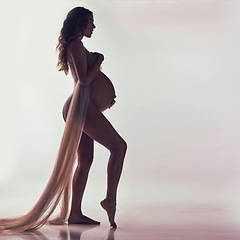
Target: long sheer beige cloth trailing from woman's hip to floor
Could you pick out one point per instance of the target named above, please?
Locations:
(59, 184)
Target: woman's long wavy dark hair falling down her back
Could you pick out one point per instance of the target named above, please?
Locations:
(75, 22)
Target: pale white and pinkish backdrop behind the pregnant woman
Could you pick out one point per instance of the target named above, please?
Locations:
(175, 67)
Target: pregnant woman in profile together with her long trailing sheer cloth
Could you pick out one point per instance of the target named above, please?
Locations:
(93, 93)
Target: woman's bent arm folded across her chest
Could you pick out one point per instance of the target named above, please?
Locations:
(77, 53)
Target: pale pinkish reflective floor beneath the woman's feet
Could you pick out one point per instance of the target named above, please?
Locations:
(168, 222)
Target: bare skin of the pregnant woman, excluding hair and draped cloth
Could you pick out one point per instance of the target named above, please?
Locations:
(96, 128)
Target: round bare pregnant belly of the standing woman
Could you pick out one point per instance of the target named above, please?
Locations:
(102, 91)
